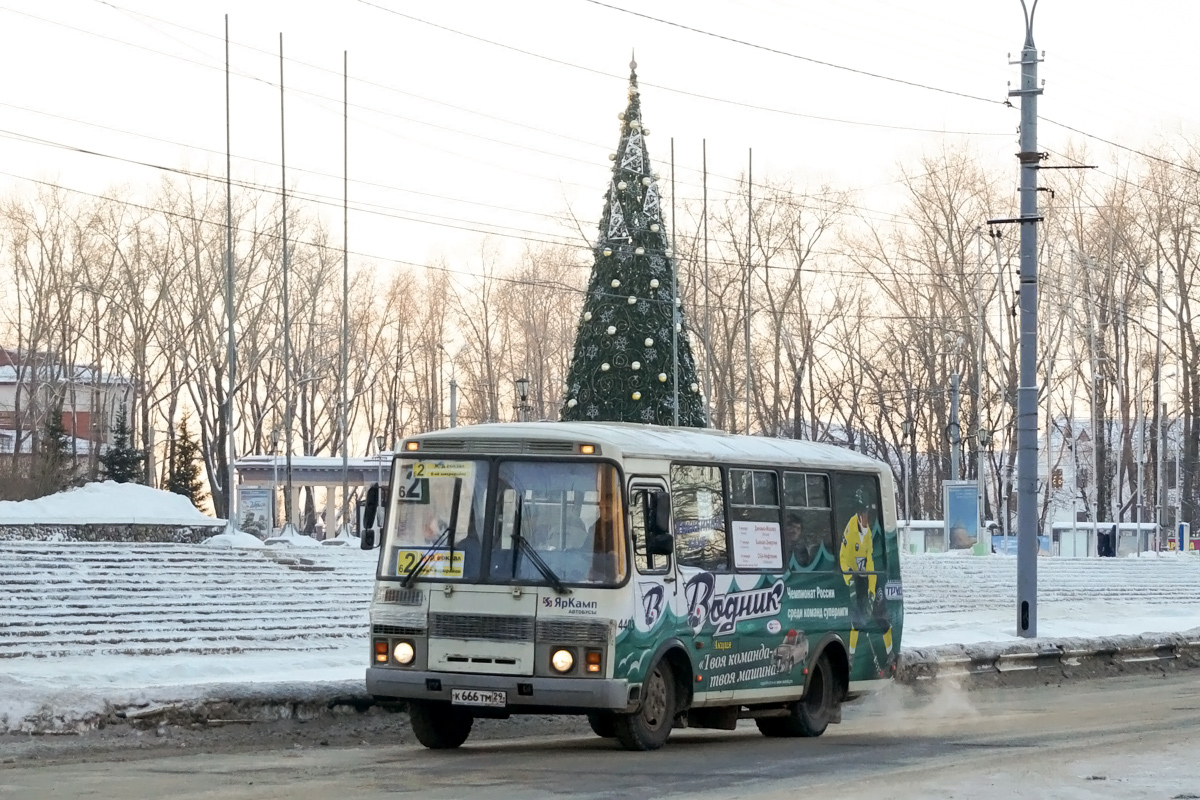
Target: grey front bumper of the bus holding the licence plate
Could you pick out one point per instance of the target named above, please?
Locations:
(525, 693)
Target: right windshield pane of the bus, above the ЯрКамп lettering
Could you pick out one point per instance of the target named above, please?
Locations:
(568, 516)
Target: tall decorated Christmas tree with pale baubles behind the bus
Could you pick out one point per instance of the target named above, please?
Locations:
(631, 357)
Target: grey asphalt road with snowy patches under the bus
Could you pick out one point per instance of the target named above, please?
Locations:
(1119, 738)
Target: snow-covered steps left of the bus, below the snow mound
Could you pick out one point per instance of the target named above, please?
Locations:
(64, 600)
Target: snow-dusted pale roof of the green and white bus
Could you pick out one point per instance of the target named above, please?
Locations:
(634, 441)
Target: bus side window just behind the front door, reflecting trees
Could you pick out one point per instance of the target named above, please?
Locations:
(698, 502)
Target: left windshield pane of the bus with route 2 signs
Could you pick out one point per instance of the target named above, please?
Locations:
(436, 504)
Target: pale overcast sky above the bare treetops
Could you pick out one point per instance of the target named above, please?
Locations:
(452, 136)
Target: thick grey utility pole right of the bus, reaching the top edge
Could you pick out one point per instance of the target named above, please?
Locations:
(1028, 390)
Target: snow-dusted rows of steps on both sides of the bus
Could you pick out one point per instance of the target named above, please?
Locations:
(69, 600)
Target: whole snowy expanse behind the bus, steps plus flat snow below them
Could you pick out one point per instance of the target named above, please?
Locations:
(129, 624)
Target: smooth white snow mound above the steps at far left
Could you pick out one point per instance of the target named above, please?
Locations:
(106, 503)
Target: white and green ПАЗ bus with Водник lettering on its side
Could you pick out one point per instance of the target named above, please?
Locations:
(647, 578)
